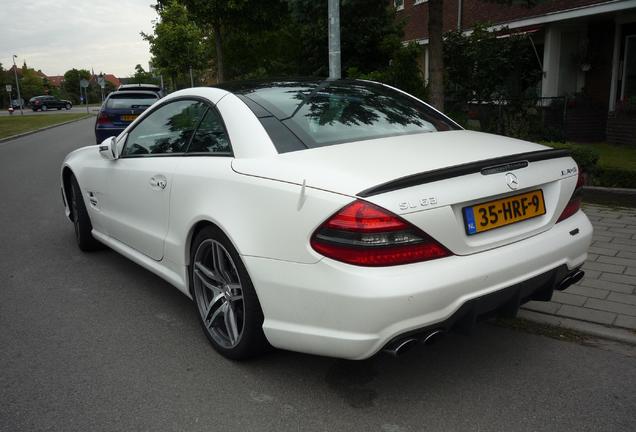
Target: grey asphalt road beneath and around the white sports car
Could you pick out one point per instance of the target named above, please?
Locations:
(92, 342)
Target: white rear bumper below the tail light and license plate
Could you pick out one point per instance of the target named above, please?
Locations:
(338, 310)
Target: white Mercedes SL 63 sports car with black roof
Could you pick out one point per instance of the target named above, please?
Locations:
(338, 218)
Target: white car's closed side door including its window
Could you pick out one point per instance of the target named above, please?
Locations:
(136, 201)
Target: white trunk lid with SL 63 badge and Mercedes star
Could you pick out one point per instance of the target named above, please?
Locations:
(430, 178)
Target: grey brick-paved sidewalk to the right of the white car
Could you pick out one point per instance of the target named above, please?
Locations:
(607, 293)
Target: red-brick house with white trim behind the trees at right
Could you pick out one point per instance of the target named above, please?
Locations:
(583, 46)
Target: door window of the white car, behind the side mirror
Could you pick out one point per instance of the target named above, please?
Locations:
(165, 131)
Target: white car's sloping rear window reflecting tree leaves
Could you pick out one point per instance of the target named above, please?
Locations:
(333, 112)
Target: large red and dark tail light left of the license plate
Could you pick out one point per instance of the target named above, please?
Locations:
(366, 235)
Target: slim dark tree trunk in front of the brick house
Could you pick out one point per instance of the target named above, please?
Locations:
(435, 53)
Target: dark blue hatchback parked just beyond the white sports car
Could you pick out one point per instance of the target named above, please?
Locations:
(119, 110)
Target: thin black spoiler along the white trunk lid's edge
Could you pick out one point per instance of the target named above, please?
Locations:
(486, 167)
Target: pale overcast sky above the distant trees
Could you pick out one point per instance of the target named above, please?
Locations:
(58, 35)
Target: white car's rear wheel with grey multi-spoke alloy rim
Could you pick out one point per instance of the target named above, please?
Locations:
(223, 291)
